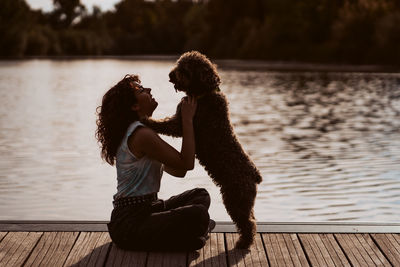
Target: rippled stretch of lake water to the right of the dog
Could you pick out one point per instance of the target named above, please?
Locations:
(325, 141)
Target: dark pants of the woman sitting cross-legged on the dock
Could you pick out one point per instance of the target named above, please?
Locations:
(176, 224)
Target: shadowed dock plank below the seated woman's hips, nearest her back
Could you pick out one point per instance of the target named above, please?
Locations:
(119, 257)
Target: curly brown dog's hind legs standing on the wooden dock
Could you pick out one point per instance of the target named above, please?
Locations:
(239, 203)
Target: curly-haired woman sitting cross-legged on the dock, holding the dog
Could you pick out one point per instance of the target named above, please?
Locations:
(139, 220)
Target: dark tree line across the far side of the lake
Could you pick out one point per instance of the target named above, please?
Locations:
(340, 31)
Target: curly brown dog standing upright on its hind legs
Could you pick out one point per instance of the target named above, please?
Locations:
(217, 147)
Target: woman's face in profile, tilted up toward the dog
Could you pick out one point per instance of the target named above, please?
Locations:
(146, 104)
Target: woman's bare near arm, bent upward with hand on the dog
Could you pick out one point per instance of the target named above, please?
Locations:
(146, 142)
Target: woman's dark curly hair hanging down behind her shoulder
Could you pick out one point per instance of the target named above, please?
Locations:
(115, 115)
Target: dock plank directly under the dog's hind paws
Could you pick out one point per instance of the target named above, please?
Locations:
(255, 256)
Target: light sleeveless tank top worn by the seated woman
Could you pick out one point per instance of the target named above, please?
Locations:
(136, 177)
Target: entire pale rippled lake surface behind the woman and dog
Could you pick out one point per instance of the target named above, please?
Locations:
(327, 144)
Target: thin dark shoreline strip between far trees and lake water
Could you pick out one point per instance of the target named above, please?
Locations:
(240, 64)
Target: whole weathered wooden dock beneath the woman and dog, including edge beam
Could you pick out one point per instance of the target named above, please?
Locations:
(277, 244)
